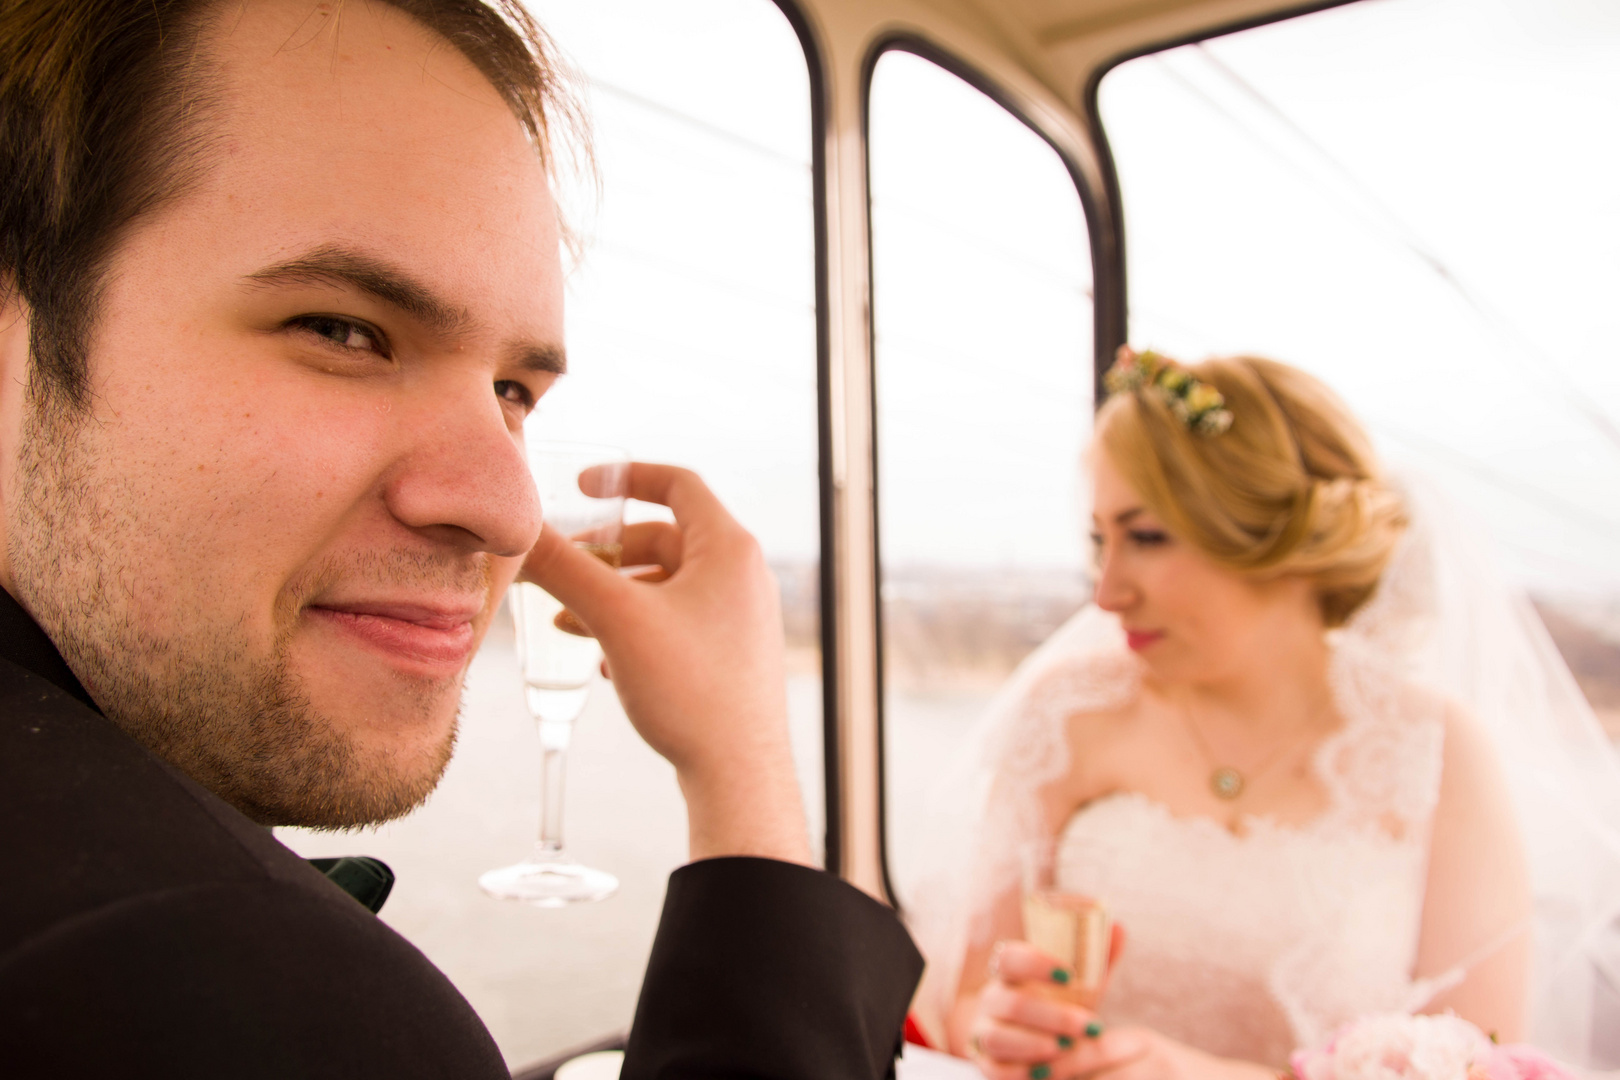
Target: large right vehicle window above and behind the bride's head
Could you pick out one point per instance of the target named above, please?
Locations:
(1415, 202)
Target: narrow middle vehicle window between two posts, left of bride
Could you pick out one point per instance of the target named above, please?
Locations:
(983, 355)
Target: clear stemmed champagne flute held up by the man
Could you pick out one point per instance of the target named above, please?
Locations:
(560, 663)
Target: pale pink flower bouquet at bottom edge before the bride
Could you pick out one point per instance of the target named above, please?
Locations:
(1400, 1047)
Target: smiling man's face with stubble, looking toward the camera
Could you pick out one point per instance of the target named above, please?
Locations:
(278, 538)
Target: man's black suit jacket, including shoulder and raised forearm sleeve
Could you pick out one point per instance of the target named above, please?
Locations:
(148, 929)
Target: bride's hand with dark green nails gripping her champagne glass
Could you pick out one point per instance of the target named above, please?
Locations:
(1023, 1032)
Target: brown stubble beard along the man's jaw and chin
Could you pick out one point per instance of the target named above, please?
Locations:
(237, 723)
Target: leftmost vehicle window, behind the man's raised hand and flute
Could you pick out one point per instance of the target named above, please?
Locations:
(691, 328)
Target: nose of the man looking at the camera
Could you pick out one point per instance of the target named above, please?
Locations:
(464, 478)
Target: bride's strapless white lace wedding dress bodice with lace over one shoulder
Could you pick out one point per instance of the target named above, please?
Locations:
(1251, 945)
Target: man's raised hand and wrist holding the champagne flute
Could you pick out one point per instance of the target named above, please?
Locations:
(697, 661)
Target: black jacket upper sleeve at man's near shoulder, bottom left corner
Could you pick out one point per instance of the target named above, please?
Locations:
(252, 982)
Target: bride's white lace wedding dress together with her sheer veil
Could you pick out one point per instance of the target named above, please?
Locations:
(1260, 943)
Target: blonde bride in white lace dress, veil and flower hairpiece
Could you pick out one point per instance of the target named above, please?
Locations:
(1274, 749)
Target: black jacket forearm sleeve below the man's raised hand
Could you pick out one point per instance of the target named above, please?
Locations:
(765, 969)
